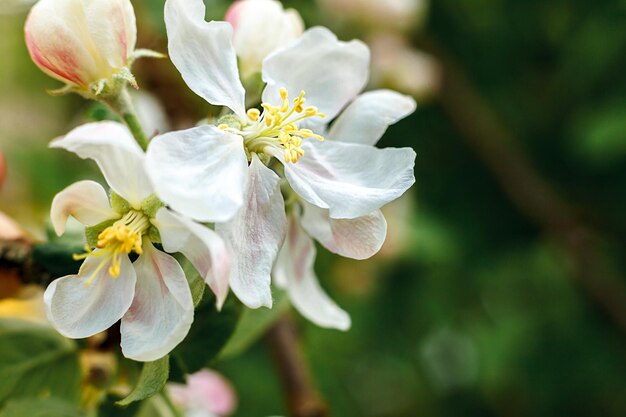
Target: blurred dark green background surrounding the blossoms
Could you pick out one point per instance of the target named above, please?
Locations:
(500, 289)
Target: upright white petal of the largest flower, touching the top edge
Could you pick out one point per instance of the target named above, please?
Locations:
(203, 53)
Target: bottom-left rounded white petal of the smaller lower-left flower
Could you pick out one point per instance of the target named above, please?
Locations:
(78, 311)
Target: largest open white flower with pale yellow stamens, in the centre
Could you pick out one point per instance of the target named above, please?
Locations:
(207, 167)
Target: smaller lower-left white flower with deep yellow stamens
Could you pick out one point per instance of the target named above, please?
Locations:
(151, 296)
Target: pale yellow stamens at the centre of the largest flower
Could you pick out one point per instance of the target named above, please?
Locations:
(277, 127)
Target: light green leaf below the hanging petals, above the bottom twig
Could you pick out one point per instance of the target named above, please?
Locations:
(254, 324)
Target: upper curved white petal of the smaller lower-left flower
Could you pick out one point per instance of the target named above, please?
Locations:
(117, 154)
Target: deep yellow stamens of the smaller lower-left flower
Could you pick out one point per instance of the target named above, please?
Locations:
(120, 239)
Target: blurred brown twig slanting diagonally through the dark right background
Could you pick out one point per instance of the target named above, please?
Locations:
(534, 197)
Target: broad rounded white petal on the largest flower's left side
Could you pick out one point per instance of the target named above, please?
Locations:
(199, 172)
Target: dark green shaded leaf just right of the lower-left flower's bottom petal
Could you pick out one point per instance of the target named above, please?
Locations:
(210, 331)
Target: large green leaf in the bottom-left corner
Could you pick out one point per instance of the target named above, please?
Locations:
(36, 361)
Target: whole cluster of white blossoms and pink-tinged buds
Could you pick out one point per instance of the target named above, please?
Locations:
(243, 199)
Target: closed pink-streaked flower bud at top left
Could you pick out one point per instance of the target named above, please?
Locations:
(81, 42)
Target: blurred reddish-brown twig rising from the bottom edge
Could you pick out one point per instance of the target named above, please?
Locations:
(303, 400)
